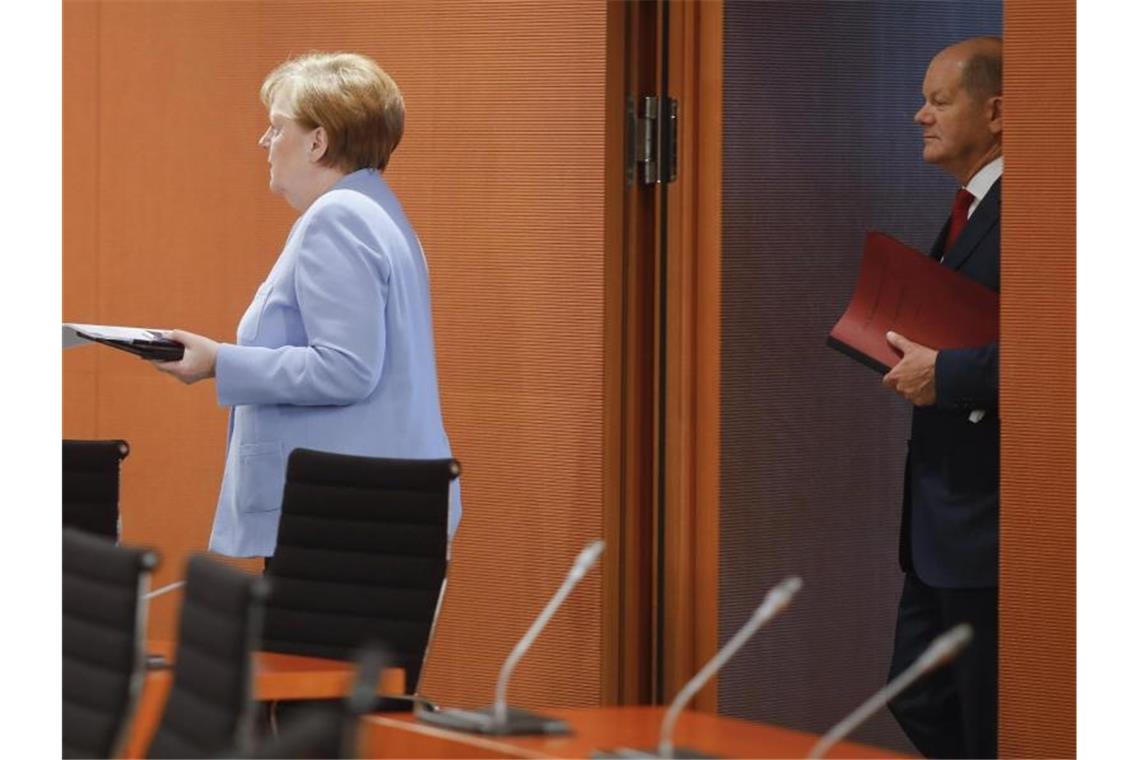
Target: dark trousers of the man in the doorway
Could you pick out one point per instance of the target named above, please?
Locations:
(954, 712)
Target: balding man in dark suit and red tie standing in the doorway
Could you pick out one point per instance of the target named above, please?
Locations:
(949, 542)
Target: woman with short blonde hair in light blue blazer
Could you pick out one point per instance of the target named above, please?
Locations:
(336, 353)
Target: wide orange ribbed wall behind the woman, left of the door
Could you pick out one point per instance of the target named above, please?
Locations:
(168, 223)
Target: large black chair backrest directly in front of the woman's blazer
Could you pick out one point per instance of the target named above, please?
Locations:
(362, 557)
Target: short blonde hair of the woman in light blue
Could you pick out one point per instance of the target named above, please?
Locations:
(356, 102)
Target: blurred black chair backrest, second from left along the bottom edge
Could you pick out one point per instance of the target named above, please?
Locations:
(210, 707)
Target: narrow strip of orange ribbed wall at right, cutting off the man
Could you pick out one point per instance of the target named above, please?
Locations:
(1038, 606)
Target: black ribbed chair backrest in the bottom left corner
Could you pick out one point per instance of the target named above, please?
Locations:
(104, 627)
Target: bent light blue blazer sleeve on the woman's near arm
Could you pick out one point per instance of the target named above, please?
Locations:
(341, 290)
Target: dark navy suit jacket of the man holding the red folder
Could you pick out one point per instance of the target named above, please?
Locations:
(950, 505)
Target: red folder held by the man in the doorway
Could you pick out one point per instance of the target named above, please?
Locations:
(905, 291)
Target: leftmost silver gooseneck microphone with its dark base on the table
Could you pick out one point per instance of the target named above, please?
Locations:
(500, 718)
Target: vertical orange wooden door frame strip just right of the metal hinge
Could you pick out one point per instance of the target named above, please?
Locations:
(693, 545)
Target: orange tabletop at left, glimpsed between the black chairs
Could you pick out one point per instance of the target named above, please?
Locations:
(276, 677)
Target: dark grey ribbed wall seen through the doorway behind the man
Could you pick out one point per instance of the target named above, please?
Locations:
(819, 148)
